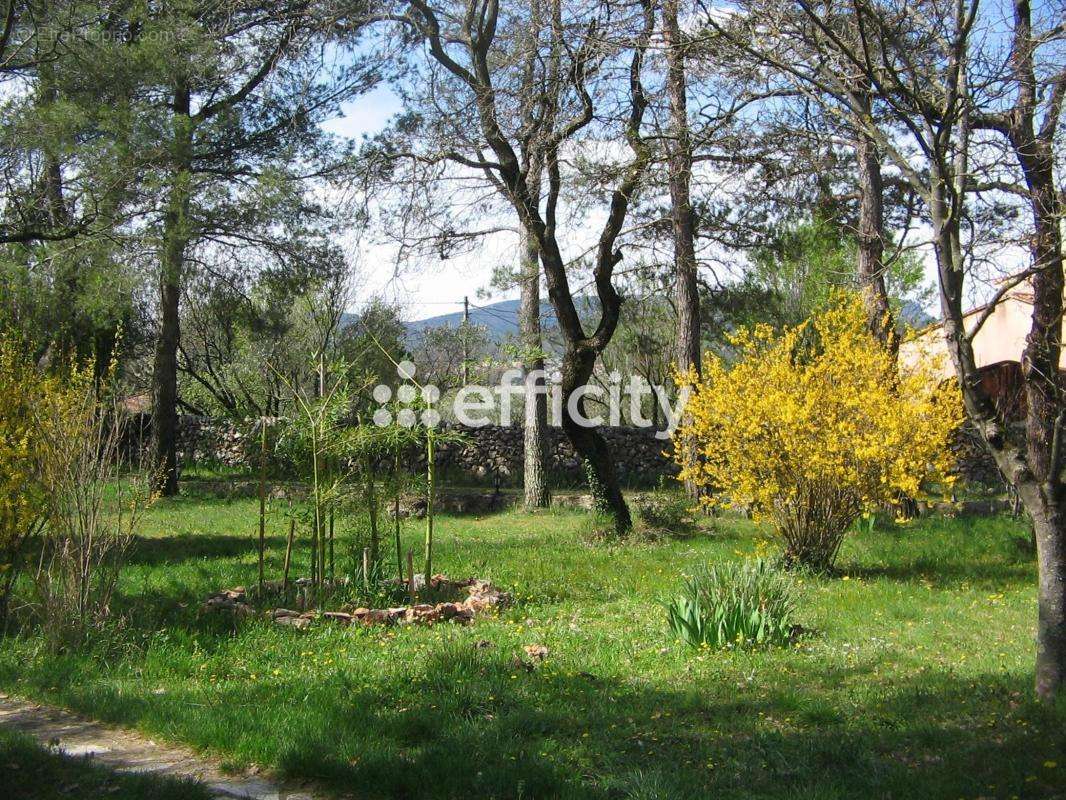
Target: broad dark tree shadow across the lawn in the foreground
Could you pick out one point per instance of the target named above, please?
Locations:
(471, 724)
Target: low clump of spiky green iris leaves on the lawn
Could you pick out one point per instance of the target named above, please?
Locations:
(735, 604)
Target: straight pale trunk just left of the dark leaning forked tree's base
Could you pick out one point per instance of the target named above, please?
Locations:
(535, 472)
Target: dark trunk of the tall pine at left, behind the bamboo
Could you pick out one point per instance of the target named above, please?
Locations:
(165, 423)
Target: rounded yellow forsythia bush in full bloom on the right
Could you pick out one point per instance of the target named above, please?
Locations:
(813, 427)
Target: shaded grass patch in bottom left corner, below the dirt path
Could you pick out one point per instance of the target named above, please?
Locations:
(31, 773)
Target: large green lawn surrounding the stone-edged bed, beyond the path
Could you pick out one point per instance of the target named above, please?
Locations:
(915, 681)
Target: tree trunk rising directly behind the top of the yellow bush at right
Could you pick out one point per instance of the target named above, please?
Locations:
(871, 239)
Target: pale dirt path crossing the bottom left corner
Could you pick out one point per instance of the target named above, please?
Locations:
(128, 751)
